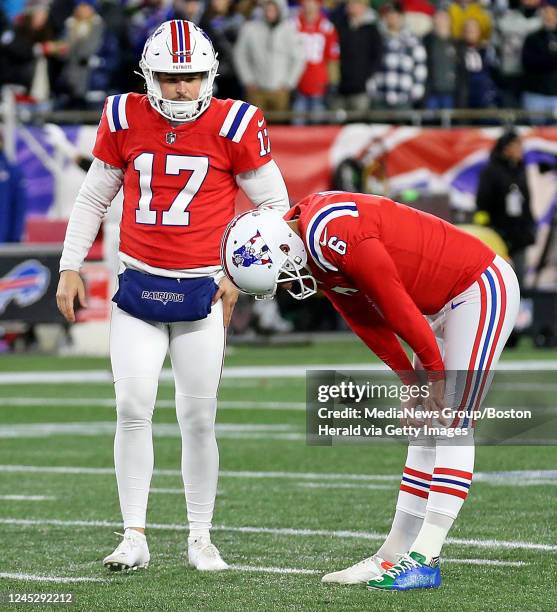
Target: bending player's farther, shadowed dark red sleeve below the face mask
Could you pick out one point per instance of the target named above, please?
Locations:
(372, 329)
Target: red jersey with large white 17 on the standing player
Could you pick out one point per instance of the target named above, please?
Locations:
(179, 186)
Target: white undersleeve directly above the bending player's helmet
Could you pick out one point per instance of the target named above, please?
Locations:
(265, 187)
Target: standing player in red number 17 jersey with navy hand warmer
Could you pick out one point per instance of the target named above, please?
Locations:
(180, 155)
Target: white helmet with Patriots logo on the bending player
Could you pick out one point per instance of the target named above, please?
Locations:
(259, 250)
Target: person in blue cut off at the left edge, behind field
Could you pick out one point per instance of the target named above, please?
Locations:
(13, 200)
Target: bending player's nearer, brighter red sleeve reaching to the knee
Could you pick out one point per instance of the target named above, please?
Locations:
(380, 281)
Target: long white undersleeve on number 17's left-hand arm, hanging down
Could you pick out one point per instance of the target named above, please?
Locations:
(100, 186)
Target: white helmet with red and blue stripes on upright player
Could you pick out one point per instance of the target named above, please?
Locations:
(179, 46)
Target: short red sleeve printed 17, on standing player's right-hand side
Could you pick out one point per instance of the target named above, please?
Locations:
(254, 147)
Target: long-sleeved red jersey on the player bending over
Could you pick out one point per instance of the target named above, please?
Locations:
(384, 265)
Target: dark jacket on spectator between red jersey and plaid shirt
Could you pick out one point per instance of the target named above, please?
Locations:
(360, 52)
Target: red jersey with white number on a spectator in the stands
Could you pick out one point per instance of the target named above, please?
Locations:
(321, 46)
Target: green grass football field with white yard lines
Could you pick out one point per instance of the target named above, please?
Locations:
(286, 512)
